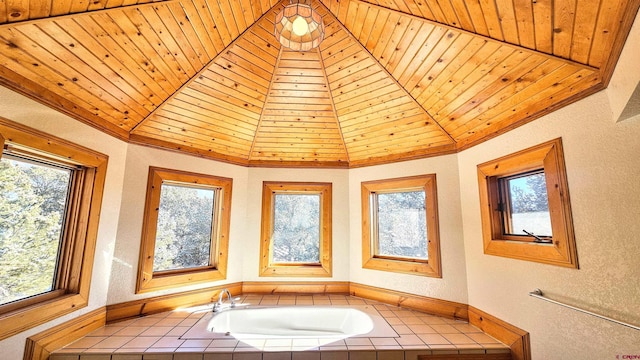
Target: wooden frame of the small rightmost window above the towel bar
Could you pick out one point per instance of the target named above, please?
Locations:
(549, 157)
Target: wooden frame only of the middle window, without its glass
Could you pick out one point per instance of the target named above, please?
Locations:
(269, 268)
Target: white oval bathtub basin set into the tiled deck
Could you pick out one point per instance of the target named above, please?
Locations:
(292, 322)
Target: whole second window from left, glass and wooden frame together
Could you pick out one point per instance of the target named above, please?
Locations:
(185, 231)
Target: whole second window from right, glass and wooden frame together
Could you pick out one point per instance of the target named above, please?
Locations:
(400, 226)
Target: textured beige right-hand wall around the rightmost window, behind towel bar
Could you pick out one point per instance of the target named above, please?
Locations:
(603, 168)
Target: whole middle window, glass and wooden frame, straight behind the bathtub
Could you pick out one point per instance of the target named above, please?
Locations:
(296, 229)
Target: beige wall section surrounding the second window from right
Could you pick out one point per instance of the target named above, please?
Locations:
(453, 284)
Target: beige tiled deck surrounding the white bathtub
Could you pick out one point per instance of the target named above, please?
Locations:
(178, 335)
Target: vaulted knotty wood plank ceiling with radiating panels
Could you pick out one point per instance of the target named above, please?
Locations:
(392, 80)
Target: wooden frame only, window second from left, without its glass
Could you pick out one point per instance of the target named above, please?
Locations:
(147, 279)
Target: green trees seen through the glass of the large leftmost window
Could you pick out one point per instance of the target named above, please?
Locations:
(33, 198)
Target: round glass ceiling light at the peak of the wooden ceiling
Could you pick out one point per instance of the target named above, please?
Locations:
(299, 27)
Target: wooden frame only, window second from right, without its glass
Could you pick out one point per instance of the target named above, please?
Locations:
(431, 267)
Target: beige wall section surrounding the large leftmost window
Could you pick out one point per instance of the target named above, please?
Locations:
(22, 110)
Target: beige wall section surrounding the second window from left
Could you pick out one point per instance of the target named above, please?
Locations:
(125, 260)
